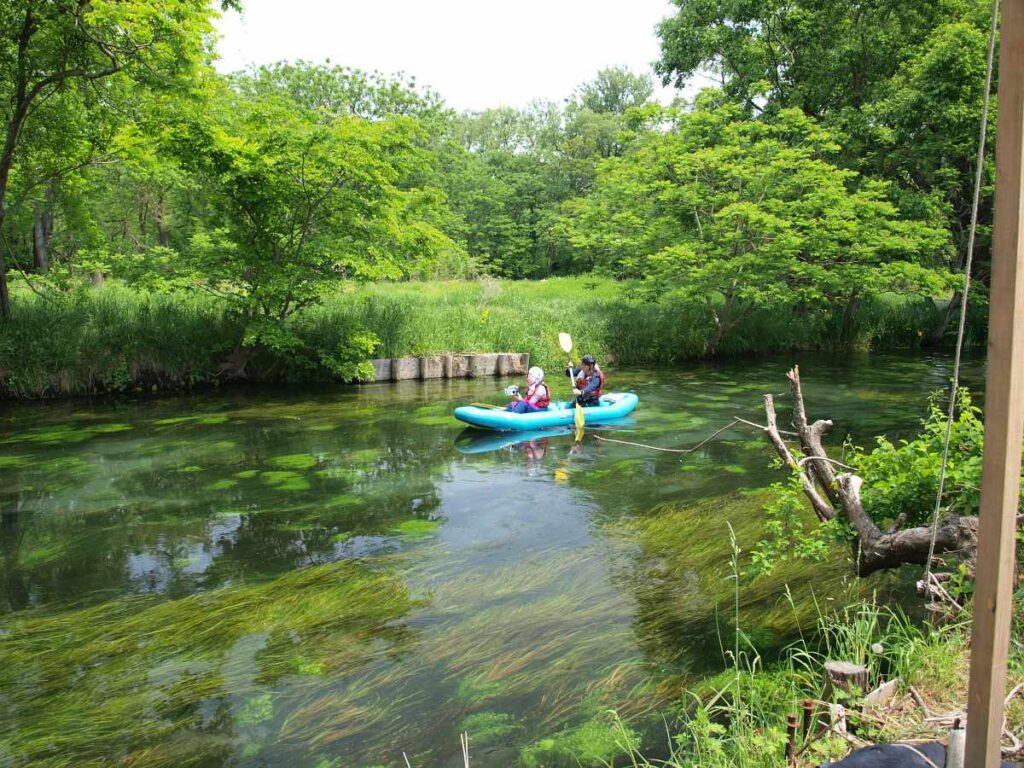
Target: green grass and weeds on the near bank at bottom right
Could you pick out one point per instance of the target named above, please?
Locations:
(738, 719)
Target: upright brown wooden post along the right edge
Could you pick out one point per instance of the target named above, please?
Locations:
(1004, 412)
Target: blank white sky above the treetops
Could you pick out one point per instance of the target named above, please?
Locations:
(475, 53)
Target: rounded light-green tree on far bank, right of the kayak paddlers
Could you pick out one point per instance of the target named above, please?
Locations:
(751, 214)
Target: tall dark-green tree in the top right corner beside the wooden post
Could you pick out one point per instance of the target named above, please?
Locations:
(901, 84)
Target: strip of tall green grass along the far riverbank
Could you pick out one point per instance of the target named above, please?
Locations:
(116, 339)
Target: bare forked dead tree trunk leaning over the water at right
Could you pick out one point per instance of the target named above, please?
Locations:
(833, 495)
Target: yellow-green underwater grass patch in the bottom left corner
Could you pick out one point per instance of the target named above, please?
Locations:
(127, 675)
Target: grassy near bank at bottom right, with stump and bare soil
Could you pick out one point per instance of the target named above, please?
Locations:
(739, 718)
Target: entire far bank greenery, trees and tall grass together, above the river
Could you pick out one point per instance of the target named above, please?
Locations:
(163, 226)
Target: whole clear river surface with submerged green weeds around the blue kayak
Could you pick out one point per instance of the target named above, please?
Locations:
(333, 578)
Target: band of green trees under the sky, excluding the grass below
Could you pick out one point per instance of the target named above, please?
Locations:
(833, 164)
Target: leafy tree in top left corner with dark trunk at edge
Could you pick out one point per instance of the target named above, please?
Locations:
(52, 47)
